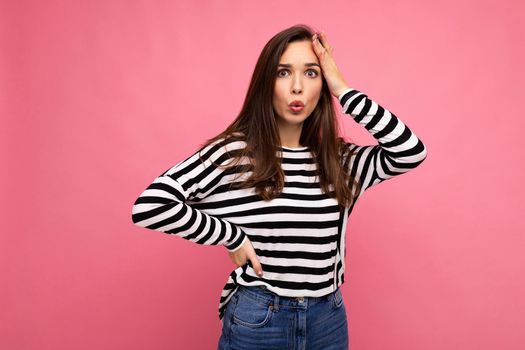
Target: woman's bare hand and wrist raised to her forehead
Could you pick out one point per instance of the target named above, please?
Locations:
(334, 78)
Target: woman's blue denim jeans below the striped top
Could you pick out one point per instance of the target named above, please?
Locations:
(256, 318)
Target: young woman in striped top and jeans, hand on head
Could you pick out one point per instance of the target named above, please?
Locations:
(276, 188)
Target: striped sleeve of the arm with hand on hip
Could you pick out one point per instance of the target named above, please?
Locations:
(163, 204)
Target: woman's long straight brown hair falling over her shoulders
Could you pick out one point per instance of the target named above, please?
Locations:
(256, 125)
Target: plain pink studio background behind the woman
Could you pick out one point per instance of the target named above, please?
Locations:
(99, 97)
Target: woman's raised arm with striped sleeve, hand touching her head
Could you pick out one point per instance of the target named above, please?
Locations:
(399, 148)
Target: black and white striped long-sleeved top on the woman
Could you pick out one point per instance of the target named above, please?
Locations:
(299, 236)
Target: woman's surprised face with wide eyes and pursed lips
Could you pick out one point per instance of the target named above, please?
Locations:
(298, 77)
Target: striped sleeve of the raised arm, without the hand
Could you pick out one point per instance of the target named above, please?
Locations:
(399, 149)
